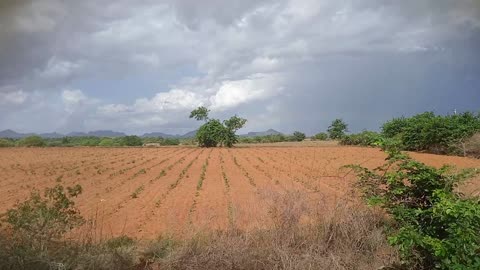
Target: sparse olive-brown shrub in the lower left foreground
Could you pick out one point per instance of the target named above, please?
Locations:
(39, 222)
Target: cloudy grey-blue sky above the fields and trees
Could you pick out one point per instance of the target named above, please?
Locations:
(142, 66)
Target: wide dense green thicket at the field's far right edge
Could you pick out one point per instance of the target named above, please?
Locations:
(433, 133)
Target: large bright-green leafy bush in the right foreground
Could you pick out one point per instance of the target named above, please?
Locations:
(435, 227)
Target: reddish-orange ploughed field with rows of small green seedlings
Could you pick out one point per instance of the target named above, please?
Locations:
(147, 191)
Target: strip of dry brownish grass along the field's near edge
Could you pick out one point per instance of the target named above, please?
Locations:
(350, 236)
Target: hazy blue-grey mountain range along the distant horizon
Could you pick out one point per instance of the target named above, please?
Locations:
(109, 133)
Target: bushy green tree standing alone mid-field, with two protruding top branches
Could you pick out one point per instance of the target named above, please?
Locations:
(214, 132)
